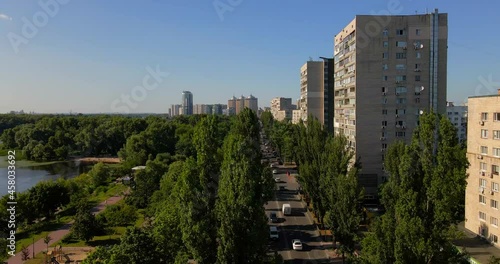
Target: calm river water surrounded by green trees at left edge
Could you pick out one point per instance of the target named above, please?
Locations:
(30, 173)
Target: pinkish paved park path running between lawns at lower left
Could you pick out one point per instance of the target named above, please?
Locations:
(60, 233)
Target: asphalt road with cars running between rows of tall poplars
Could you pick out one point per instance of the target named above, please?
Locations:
(298, 225)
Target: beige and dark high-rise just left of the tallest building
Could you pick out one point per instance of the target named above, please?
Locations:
(316, 91)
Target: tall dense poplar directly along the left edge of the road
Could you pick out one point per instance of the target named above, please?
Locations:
(242, 232)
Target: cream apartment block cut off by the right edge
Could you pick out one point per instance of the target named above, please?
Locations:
(482, 195)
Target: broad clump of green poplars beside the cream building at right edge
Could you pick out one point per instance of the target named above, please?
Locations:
(424, 198)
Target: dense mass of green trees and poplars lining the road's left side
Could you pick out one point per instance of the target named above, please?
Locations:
(206, 204)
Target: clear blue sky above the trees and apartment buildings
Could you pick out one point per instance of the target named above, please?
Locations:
(87, 54)
